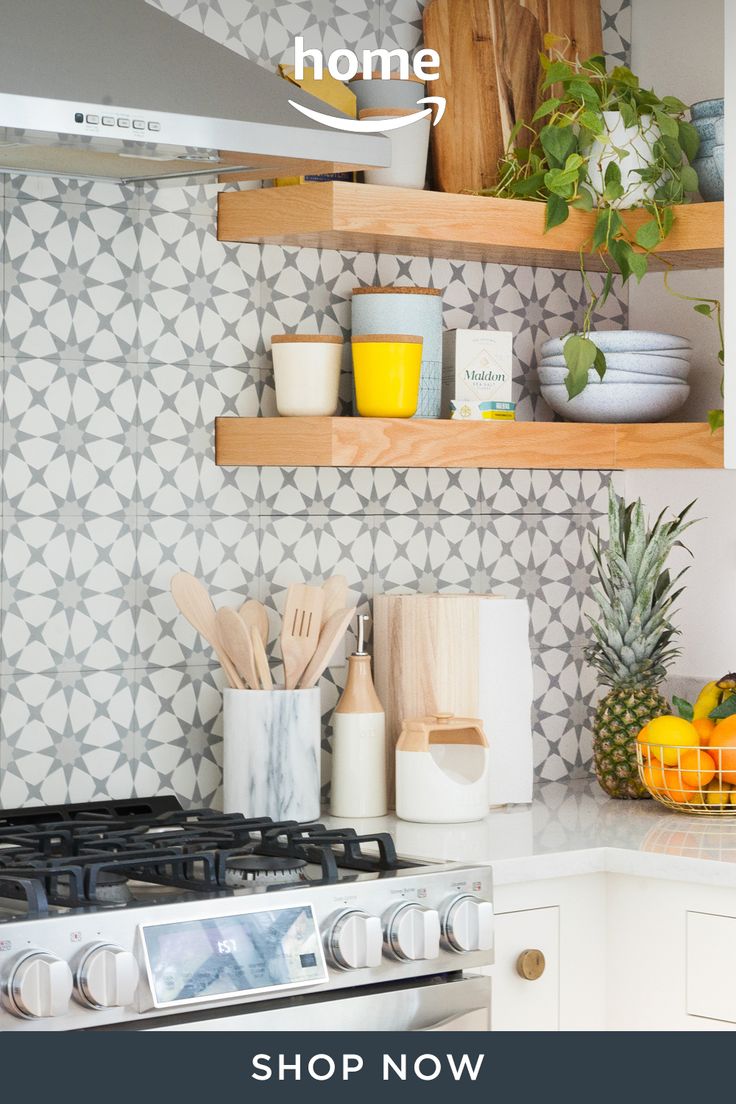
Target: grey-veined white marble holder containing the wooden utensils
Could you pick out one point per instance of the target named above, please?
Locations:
(272, 753)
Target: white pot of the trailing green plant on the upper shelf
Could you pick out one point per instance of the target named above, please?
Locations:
(639, 143)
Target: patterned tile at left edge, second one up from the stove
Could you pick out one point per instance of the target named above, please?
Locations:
(69, 595)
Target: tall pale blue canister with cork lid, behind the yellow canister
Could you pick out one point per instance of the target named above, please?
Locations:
(408, 311)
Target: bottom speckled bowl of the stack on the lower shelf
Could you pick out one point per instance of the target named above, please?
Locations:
(620, 402)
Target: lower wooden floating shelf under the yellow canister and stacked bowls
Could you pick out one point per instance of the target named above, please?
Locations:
(396, 443)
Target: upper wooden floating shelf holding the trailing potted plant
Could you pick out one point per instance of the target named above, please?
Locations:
(369, 219)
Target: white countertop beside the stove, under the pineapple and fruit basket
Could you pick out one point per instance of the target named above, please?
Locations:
(574, 829)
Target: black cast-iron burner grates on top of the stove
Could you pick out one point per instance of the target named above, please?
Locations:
(109, 855)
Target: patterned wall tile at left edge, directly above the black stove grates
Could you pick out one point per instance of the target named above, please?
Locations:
(67, 738)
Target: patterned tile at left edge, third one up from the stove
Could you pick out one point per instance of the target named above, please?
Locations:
(70, 437)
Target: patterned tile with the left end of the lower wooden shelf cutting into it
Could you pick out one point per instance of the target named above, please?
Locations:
(177, 471)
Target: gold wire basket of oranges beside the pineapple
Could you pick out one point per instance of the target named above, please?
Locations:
(688, 780)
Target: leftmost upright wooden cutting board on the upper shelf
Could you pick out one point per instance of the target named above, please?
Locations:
(467, 144)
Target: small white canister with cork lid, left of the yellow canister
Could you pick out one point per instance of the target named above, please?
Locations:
(307, 374)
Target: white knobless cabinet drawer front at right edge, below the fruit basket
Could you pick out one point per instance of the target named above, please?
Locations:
(711, 943)
